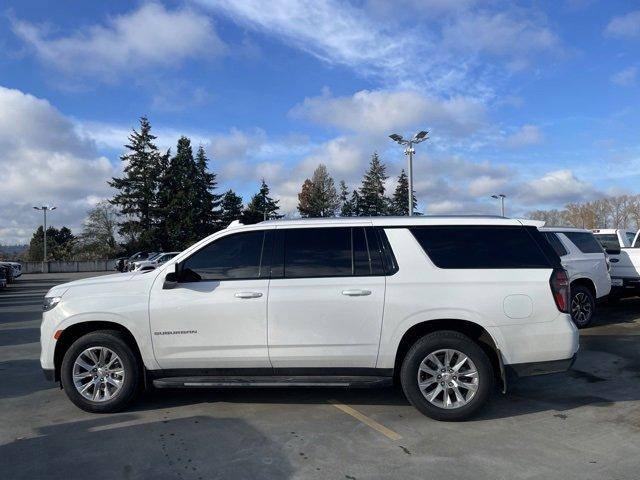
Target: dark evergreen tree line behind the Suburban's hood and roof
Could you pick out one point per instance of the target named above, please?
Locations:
(166, 202)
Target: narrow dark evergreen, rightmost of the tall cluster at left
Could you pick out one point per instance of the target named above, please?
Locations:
(207, 203)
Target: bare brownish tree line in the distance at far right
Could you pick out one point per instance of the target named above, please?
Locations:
(621, 211)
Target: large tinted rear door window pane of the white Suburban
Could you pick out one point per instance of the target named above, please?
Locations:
(317, 252)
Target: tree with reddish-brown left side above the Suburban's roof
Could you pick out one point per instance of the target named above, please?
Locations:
(318, 197)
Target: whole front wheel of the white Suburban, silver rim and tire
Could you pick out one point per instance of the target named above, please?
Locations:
(100, 373)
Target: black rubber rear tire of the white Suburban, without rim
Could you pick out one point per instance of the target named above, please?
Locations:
(446, 340)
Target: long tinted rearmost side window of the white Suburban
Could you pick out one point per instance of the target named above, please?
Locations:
(462, 246)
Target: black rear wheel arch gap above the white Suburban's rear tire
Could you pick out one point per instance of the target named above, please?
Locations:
(473, 330)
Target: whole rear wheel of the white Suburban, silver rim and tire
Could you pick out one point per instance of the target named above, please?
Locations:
(447, 376)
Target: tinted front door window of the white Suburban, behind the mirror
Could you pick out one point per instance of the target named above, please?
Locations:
(232, 257)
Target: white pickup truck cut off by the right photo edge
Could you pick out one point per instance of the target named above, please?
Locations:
(624, 255)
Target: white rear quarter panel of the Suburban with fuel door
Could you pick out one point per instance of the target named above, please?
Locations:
(420, 292)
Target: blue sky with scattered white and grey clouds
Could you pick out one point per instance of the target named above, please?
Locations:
(537, 100)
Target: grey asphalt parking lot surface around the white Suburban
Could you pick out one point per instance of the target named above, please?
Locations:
(584, 424)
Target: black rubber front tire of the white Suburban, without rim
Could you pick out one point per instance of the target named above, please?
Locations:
(116, 342)
